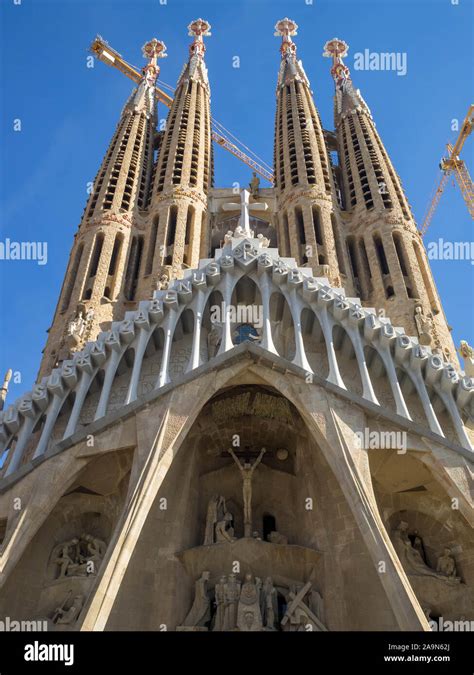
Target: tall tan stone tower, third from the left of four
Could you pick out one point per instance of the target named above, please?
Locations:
(306, 192)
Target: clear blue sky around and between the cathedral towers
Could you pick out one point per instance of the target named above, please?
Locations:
(68, 113)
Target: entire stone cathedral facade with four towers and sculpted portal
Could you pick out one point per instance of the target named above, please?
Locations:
(249, 415)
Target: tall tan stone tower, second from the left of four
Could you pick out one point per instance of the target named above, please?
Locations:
(183, 173)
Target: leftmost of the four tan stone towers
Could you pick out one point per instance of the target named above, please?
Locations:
(103, 270)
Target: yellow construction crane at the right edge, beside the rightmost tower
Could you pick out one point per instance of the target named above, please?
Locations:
(452, 165)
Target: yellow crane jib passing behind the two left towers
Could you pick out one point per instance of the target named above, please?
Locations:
(105, 53)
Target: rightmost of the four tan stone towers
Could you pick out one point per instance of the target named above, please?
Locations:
(388, 261)
